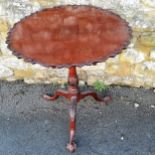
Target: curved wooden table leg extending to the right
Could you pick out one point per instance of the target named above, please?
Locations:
(105, 100)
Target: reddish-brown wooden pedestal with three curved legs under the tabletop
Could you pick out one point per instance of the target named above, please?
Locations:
(74, 95)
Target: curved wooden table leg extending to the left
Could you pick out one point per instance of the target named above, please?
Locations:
(56, 95)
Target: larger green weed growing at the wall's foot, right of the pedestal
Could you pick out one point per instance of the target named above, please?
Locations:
(100, 86)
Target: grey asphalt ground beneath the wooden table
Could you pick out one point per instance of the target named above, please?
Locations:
(30, 125)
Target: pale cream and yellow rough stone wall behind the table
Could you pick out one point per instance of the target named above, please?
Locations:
(134, 66)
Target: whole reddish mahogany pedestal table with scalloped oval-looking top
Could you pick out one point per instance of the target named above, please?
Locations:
(70, 36)
